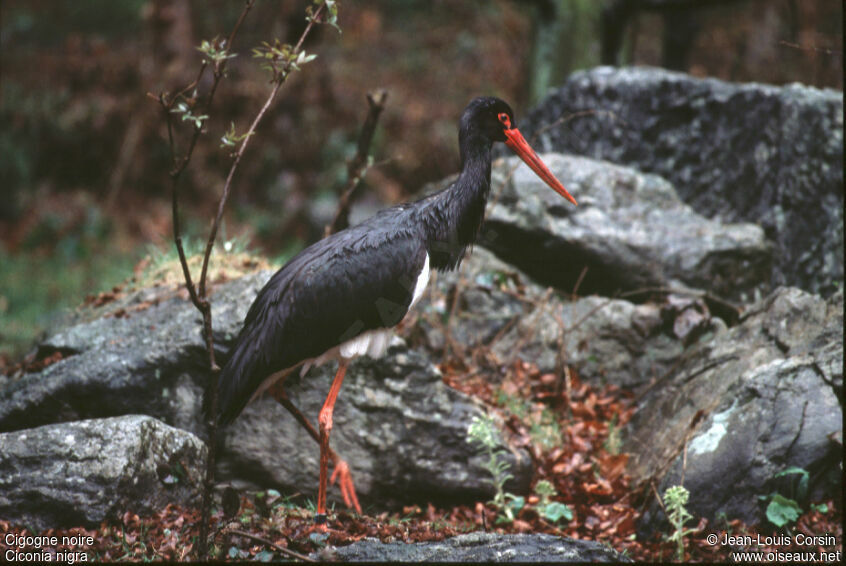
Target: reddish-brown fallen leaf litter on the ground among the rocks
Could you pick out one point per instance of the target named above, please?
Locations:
(584, 466)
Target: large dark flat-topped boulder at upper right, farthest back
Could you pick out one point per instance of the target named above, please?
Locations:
(740, 152)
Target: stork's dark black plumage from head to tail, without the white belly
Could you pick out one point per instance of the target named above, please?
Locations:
(361, 278)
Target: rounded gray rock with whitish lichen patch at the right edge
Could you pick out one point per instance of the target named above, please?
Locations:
(760, 398)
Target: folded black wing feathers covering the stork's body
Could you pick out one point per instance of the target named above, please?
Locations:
(360, 279)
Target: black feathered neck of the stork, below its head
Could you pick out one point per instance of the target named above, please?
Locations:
(452, 217)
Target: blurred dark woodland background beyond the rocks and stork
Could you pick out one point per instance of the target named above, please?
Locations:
(83, 152)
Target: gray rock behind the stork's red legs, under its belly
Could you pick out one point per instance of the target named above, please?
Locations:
(400, 429)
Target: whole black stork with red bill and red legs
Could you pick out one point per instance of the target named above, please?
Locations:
(340, 297)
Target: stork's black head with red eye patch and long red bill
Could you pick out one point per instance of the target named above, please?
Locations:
(493, 118)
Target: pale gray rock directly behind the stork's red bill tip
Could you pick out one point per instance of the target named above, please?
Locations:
(629, 232)
